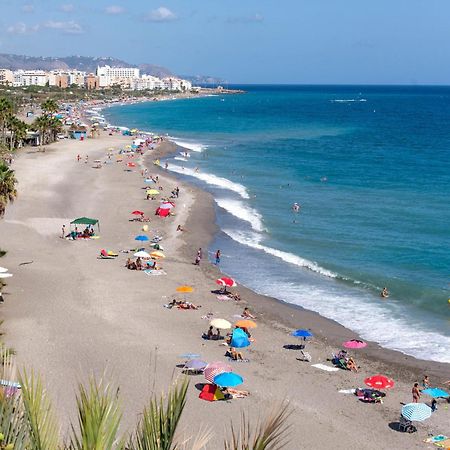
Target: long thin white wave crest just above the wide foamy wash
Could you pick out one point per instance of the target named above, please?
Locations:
(253, 240)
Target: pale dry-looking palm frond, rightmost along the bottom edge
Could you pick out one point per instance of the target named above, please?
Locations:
(271, 433)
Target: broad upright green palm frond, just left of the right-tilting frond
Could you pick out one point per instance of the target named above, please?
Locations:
(98, 418)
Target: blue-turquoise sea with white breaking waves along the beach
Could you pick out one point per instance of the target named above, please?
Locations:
(370, 167)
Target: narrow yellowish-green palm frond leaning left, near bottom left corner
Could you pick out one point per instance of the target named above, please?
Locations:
(39, 415)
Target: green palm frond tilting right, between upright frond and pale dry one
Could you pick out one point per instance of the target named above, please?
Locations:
(156, 430)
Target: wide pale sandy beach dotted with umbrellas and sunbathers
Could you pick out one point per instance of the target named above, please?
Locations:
(69, 314)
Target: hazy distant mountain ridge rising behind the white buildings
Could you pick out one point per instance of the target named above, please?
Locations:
(89, 64)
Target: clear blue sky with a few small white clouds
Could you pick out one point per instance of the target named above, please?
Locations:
(245, 41)
